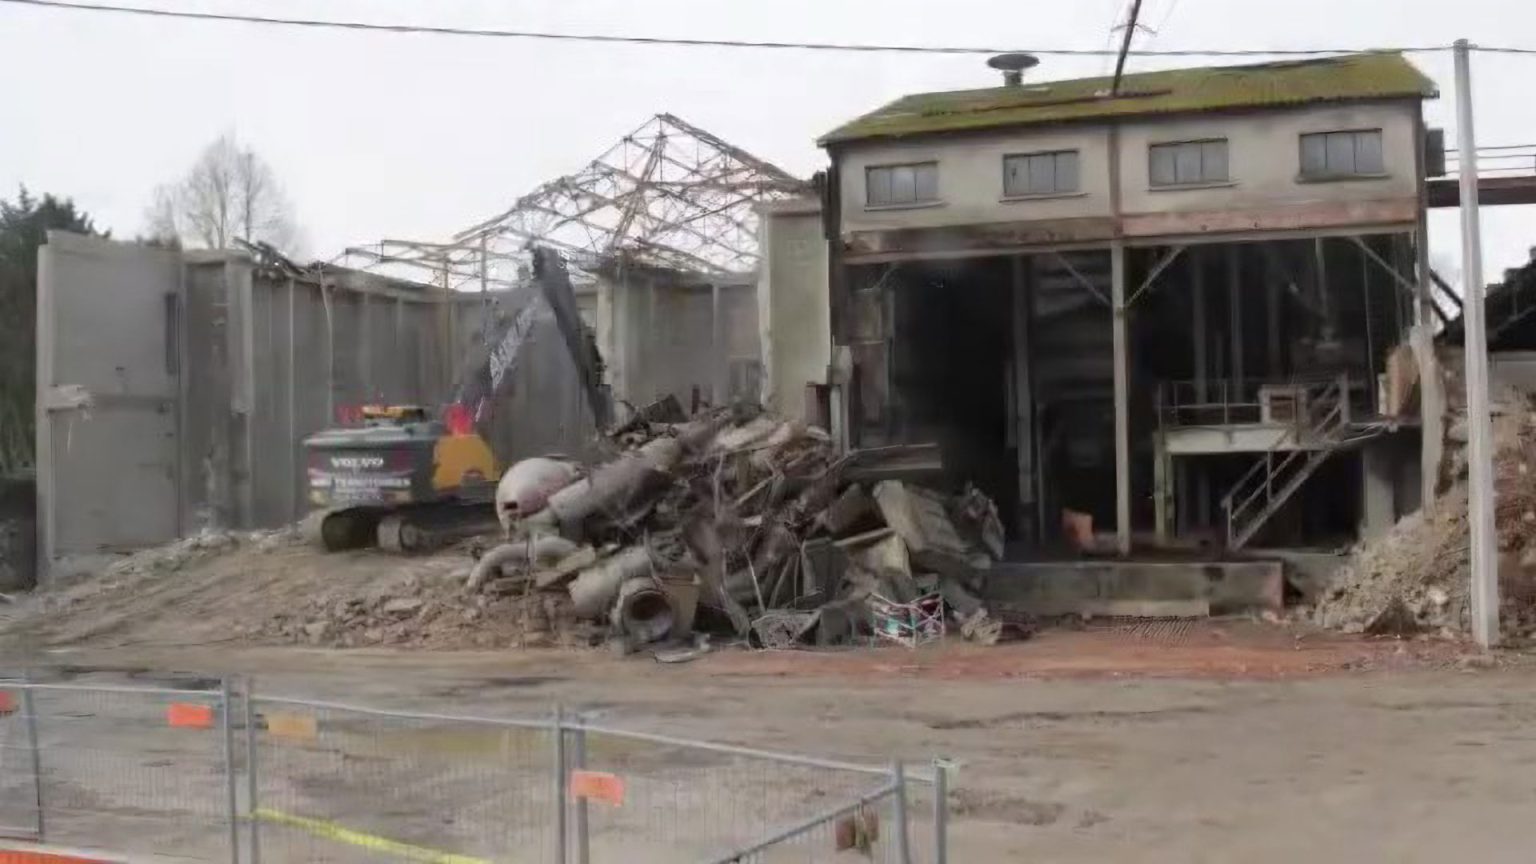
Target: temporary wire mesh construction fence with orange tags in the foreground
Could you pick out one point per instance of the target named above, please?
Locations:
(219, 774)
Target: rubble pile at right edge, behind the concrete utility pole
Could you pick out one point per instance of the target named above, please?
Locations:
(1415, 579)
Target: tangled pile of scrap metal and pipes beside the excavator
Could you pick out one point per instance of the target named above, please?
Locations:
(747, 525)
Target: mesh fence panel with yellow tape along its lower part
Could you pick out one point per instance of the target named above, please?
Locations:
(348, 785)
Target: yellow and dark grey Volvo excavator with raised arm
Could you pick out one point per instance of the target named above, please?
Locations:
(409, 482)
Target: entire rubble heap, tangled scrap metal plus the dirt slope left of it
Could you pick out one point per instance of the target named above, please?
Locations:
(697, 533)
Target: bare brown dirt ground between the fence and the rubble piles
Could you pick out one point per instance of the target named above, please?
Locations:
(1213, 742)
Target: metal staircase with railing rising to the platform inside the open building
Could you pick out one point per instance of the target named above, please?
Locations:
(1322, 425)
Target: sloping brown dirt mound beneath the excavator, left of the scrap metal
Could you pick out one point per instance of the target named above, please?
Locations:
(270, 588)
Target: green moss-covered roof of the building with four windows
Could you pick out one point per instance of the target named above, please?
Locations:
(1173, 91)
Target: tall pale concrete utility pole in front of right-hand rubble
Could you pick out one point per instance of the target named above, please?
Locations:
(1480, 460)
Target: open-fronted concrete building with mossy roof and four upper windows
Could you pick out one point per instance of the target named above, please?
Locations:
(1190, 307)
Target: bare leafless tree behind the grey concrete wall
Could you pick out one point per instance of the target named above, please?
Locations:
(231, 193)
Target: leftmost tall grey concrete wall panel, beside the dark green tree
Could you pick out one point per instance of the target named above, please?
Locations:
(107, 397)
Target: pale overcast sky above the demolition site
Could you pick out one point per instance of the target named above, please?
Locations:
(419, 136)
